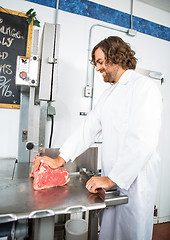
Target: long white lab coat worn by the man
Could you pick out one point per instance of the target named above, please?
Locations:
(129, 116)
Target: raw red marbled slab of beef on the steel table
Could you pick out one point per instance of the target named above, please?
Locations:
(46, 177)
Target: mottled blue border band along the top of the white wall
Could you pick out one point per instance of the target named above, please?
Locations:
(109, 15)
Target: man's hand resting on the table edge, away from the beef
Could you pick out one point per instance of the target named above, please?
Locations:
(99, 182)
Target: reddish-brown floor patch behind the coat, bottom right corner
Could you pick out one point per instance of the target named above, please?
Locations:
(161, 231)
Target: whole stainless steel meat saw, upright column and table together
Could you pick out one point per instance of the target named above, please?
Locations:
(41, 215)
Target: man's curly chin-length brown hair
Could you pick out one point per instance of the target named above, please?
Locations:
(116, 51)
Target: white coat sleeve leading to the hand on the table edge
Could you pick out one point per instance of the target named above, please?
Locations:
(142, 136)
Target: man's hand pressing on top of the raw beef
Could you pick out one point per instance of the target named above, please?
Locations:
(52, 163)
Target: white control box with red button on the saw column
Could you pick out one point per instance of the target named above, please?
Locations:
(27, 71)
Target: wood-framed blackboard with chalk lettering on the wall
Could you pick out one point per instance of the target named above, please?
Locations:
(15, 40)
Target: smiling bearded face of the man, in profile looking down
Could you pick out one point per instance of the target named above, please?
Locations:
(109, 71)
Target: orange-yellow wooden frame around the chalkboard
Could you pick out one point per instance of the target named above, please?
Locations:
(28, 47)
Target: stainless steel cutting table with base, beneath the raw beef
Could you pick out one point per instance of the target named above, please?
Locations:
(29, 214)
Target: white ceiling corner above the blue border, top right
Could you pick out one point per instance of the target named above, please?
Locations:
(161, 4)
